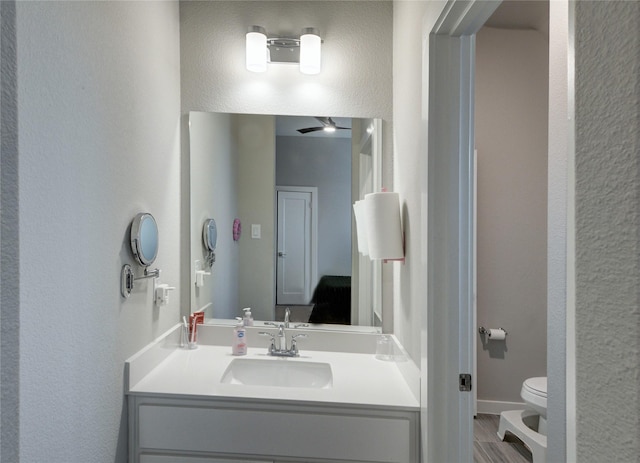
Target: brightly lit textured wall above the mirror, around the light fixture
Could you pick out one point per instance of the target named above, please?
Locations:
(356, 58)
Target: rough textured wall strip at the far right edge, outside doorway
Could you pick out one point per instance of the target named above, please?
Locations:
(607, 165)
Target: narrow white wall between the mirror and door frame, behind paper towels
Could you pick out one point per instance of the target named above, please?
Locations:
(409, 164)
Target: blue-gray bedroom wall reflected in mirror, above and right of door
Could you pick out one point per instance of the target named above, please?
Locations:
(326, 164)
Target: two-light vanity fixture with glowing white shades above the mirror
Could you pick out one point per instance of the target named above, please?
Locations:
(305, 51)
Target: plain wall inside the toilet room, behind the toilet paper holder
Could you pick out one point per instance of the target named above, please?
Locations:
(511, 138)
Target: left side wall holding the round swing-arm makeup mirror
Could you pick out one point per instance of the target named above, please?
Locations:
(98, 120)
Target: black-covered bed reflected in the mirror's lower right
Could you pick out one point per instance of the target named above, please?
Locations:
(332, 300)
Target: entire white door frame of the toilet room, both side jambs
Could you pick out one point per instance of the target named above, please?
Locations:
(447, 427)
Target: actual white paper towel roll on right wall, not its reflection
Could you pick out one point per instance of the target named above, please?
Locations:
(384, 229)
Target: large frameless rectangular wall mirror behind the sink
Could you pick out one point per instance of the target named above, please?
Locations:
(291, 181)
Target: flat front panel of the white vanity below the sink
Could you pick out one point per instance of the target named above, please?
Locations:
(312, 433)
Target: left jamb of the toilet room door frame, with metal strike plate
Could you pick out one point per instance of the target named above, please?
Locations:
(451, 254)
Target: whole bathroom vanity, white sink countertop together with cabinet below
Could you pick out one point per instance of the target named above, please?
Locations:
(206, 406)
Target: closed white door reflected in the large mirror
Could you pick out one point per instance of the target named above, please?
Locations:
(294, 256)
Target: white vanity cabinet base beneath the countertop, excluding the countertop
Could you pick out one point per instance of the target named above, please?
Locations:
(224, 430)
